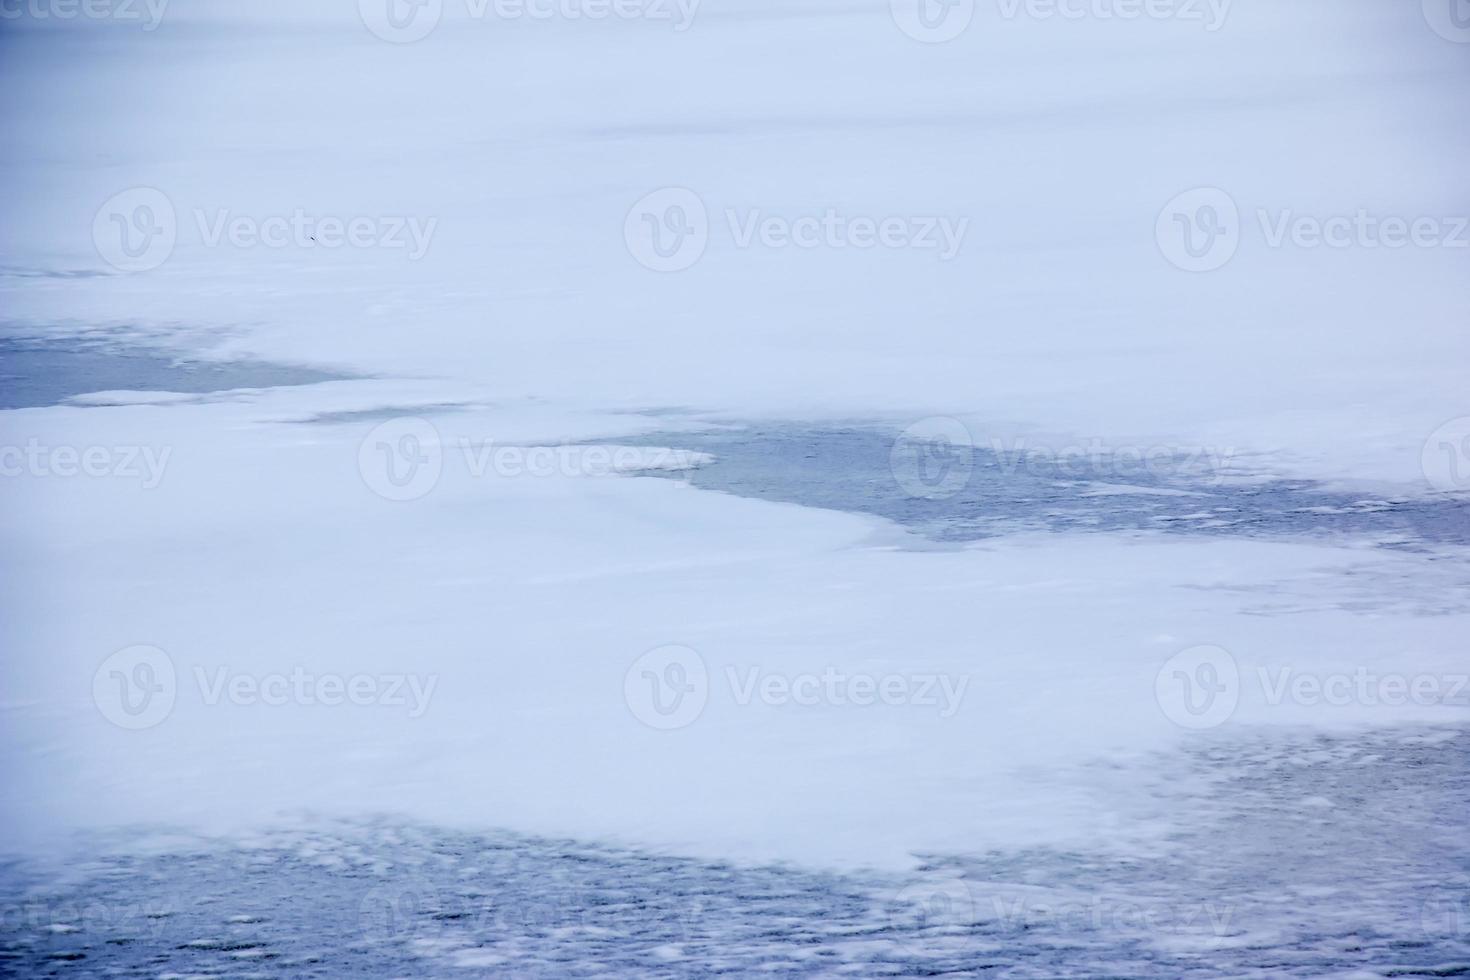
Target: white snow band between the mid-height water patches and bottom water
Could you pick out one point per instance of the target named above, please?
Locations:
(509, 609)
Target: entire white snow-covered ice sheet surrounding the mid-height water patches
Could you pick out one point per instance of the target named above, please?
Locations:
(465, 644)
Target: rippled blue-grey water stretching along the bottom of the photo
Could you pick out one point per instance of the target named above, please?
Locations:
(1299, 856)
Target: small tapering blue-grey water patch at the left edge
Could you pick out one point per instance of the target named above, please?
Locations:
(46, 372)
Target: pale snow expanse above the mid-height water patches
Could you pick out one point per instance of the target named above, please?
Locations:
(530, 142)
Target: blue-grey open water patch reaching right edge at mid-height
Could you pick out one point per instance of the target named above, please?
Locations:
(965, 493)
